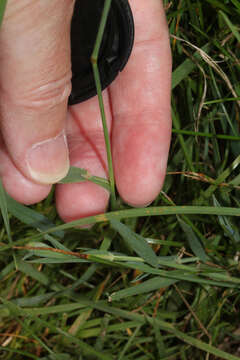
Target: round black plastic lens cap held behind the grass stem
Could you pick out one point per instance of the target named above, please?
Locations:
(115, 48)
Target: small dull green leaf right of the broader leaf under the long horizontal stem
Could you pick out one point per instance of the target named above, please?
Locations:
(193, 241)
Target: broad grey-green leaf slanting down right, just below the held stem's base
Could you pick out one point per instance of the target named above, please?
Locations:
(136, 242)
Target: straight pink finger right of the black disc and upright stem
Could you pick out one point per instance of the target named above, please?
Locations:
(140, 99)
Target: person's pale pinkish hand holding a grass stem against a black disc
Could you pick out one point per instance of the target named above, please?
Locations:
(35, 82)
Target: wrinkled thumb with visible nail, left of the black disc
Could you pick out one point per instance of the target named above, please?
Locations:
(35, 82)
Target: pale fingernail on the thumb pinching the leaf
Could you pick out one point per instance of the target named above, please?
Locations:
(48, 160)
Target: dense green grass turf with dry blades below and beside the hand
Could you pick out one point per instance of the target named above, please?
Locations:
(164, 282)
